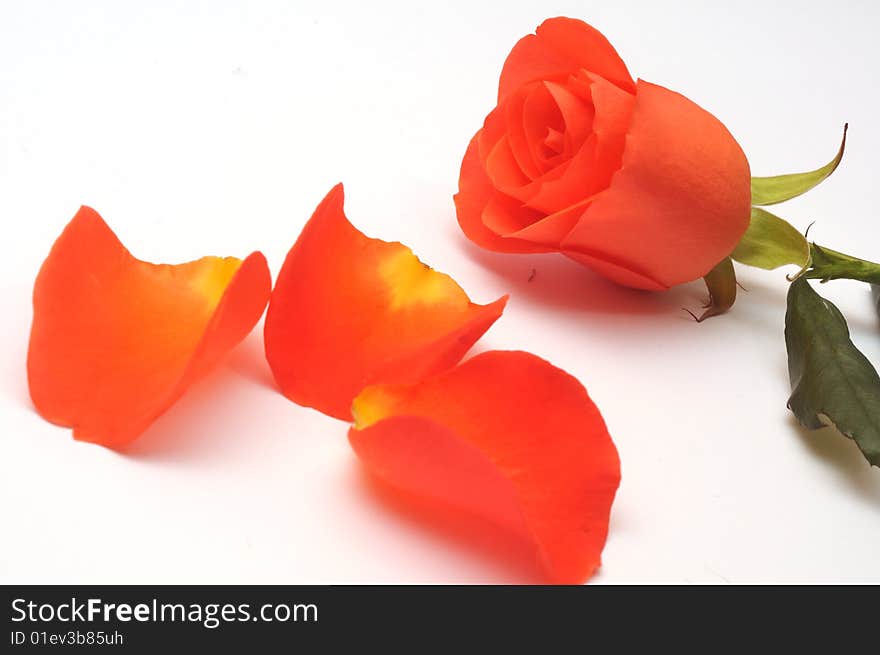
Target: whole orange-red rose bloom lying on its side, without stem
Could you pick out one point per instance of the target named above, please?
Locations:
(629, 178)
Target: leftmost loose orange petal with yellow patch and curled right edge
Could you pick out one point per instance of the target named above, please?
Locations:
(115, 341)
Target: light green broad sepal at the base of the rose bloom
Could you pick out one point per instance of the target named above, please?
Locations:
(771, 242)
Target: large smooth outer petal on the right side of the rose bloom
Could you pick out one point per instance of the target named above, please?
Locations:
(671, 213)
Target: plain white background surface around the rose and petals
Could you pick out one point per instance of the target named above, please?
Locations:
(215, 128)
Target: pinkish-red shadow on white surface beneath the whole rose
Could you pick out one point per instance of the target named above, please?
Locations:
(554, 281)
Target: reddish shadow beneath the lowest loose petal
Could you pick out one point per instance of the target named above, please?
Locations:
(506, 551)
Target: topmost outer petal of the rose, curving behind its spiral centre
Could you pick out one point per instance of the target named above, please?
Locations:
(560, 47)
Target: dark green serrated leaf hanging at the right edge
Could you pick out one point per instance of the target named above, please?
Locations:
(832, 382)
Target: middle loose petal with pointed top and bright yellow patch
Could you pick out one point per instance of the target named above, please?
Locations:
(348, 311)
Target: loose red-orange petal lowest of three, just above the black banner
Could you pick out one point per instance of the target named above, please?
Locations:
(508, 437)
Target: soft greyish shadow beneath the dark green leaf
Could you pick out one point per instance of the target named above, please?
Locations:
(843, 455)
